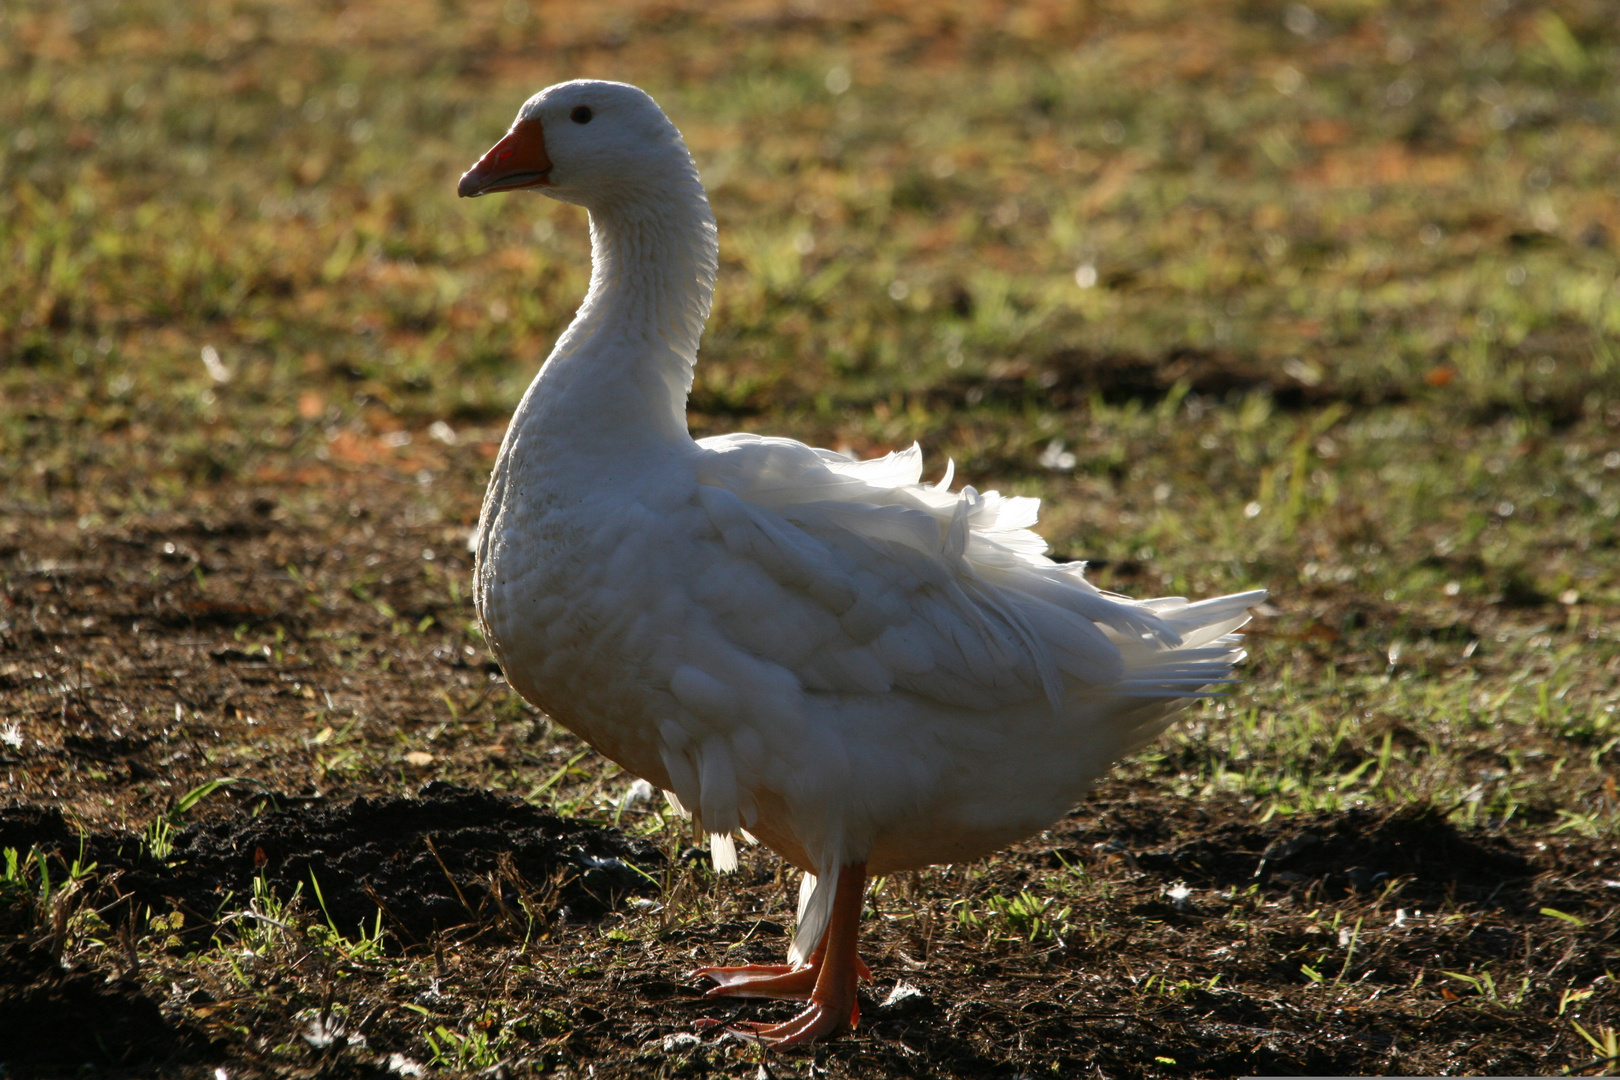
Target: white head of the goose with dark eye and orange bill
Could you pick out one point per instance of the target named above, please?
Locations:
(589, 143)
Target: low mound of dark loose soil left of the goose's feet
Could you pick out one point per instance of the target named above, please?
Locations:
(446, 859)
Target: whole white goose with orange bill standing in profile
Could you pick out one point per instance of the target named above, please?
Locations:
(868, 673)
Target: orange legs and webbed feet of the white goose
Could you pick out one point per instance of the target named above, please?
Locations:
(827, 980)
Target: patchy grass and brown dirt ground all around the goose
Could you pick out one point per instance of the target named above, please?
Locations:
(1319, 299)
